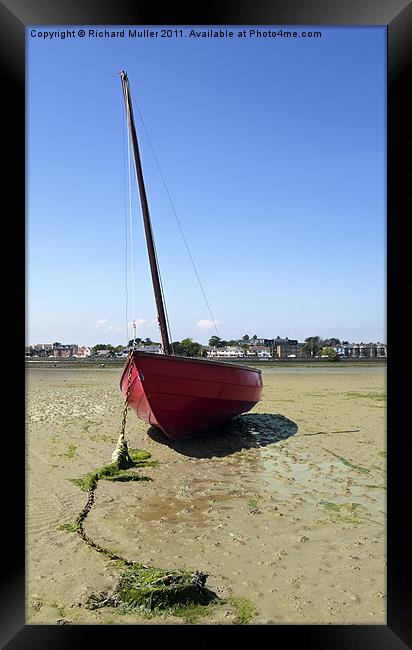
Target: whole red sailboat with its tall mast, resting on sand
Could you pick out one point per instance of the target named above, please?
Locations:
(181, 396)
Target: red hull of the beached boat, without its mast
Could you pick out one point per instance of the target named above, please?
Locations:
(184, 397)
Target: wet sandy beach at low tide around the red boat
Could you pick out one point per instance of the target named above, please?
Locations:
(285, 508)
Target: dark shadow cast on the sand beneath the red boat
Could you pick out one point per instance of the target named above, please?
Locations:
(247, 431)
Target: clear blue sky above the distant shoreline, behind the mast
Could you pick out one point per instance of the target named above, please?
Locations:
(273, 151)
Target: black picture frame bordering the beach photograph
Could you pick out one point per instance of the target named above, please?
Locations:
(14, 17)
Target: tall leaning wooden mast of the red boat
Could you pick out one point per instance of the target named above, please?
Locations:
(146, 217)
